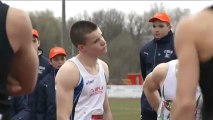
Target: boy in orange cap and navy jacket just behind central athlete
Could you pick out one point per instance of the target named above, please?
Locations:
(46, 106)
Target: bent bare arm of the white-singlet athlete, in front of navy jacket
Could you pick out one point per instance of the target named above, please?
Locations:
(152, 84)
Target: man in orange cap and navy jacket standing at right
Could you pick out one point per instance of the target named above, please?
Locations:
(158, 50)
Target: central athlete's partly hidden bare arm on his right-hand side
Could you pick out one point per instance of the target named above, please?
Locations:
(107, 110)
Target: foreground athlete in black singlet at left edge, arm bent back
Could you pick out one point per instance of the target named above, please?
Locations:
(19, 61)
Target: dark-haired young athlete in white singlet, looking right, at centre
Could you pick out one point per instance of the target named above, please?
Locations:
(81, 81)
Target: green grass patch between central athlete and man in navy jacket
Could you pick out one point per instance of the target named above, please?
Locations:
(125, 109)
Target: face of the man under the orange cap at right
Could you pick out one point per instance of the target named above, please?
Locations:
(160, 29)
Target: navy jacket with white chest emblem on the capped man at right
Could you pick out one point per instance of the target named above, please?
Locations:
(152, 54)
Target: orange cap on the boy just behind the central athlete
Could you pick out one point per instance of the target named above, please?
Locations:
(56, 51)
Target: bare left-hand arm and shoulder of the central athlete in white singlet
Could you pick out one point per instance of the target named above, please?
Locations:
(66, 80)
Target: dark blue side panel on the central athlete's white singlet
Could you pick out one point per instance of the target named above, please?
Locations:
(77, 93)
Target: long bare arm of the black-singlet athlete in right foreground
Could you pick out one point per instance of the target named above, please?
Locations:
(188, 73)
